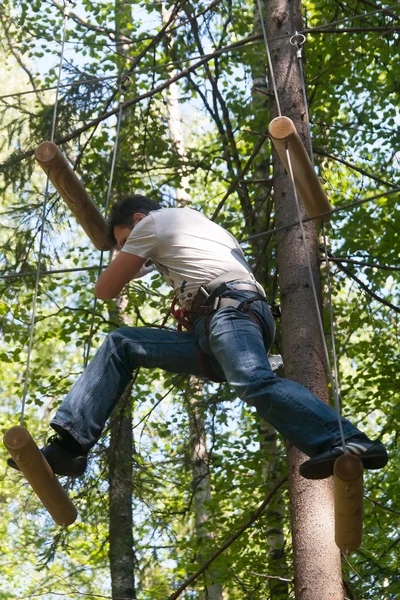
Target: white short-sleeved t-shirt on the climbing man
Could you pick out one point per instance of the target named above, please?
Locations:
(188, 249)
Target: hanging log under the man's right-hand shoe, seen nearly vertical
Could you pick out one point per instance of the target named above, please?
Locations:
(348, 488)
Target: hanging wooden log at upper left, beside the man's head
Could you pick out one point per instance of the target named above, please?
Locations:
(70, 188)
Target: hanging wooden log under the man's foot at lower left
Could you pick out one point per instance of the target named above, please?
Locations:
(39, 475)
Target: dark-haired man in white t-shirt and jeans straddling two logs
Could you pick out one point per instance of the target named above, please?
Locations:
(232, 330)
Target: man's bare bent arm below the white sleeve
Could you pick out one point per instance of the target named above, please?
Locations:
(122, 269)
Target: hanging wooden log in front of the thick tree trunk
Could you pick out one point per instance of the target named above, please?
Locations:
(283, 133)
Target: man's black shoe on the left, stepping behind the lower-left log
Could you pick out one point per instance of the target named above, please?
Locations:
(61, 460)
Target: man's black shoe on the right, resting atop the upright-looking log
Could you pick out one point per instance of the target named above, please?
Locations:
(372, 454)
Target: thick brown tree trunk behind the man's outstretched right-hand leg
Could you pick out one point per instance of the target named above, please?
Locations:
(316, 557)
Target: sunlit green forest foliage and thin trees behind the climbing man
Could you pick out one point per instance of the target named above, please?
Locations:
(201, 462)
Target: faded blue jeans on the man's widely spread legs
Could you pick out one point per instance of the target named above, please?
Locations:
(237, 349)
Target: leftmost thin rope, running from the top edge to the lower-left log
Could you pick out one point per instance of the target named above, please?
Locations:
(43, 218)
